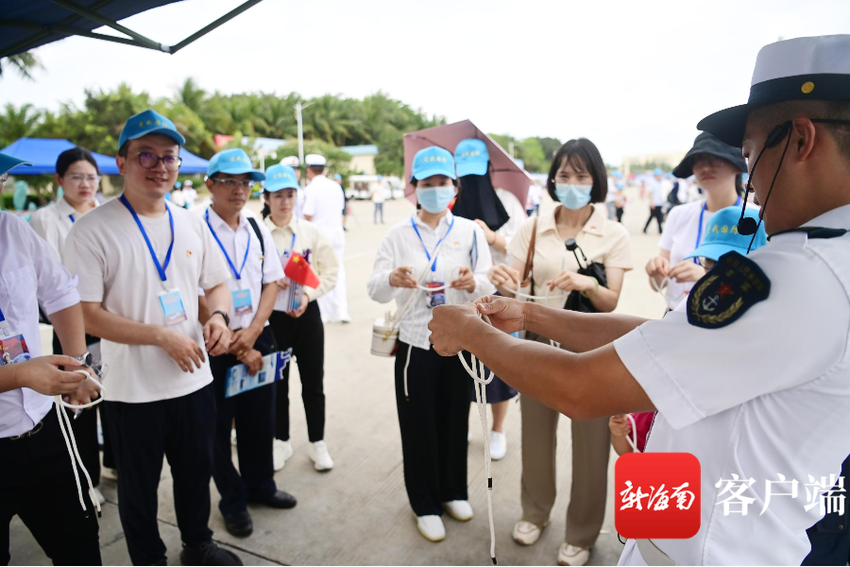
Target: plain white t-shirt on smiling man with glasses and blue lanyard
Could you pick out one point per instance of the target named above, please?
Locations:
(107, 251)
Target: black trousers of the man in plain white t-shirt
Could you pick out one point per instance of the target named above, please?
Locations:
(181, 430)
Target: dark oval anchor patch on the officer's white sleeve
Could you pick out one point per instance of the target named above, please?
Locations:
(733, 285)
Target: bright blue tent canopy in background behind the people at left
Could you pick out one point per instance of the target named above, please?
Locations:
(43, 152)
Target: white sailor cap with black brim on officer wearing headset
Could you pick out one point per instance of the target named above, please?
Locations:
(806, 68)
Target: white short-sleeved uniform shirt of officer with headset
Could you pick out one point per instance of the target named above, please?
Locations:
(768, 394)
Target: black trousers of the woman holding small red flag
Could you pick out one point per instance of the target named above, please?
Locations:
(306, 337)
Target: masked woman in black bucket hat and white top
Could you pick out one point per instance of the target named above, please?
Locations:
(717, 168)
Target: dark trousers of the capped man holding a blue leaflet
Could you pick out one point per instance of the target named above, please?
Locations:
(254, 414)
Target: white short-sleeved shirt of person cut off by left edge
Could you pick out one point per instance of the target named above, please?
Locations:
(29, 274)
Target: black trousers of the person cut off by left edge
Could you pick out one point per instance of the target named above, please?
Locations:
(37, 484)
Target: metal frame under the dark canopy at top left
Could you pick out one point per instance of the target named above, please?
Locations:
(134, 38)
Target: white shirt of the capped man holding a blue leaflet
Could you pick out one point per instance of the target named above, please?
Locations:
(257, 271)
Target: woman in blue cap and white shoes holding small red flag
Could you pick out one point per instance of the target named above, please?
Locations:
(299, 325)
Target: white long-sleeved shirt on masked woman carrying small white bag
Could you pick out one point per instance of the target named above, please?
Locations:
(402, 247)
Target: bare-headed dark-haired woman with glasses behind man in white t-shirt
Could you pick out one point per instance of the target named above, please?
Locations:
(78, 175)
